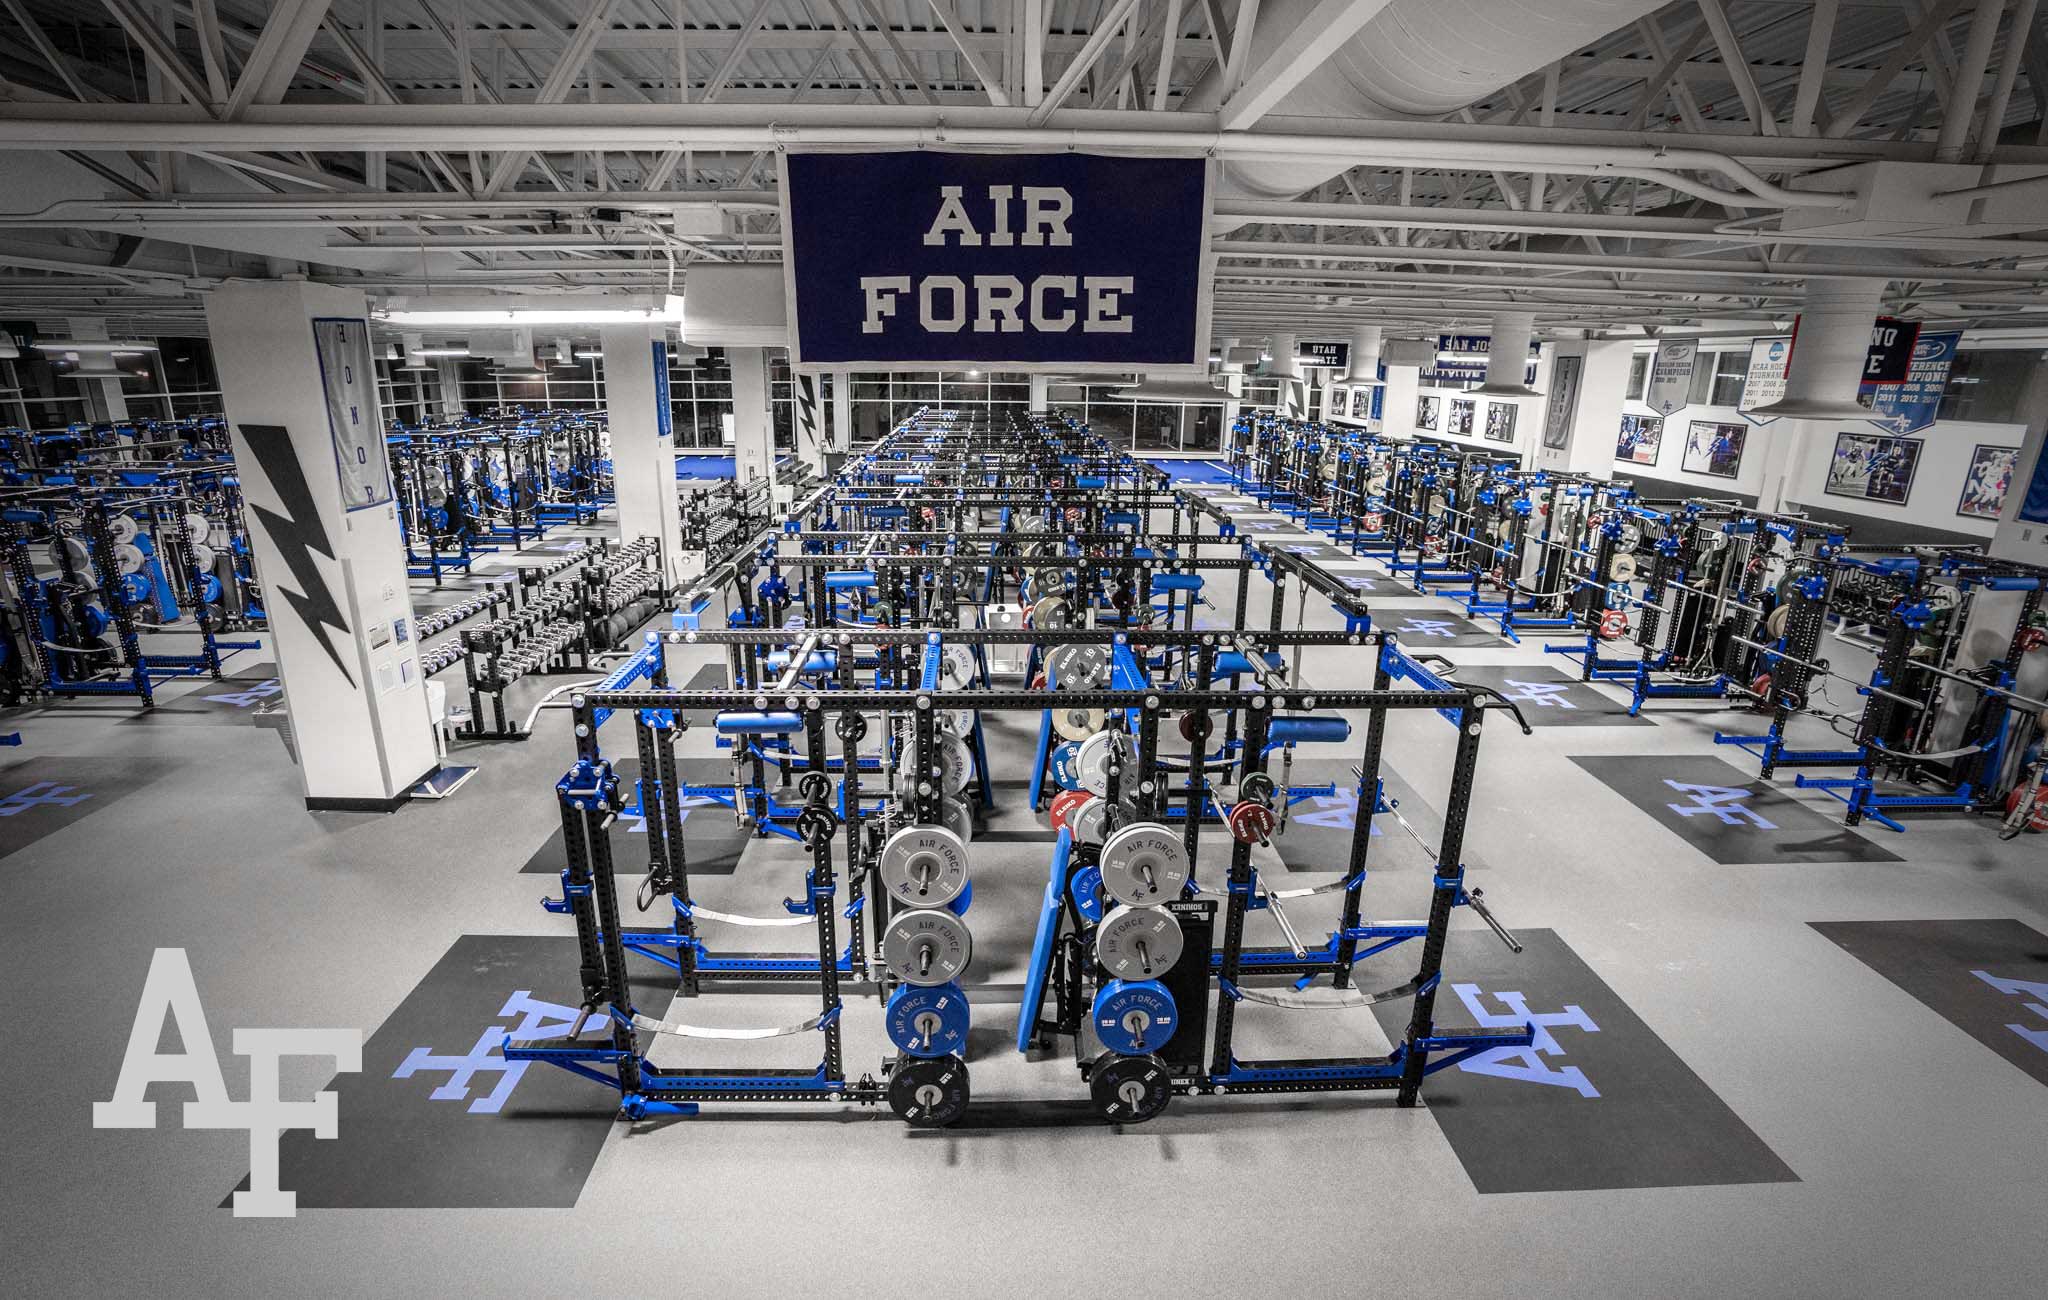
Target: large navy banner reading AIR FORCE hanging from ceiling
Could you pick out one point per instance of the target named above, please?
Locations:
(1029, 261)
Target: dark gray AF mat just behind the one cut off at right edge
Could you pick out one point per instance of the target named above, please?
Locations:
(1727, 814)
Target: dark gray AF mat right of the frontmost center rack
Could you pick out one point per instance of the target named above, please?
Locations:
(1596, 1102)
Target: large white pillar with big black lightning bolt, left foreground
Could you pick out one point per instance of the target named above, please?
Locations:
(300, 392)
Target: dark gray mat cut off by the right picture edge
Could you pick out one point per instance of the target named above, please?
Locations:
(1990, 980)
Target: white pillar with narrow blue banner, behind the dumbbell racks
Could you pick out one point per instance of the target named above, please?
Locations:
(644, 445)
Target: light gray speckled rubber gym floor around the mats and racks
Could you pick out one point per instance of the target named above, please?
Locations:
(1920, 1156)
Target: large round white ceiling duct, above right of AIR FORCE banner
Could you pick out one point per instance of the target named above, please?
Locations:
(1414, 60)
